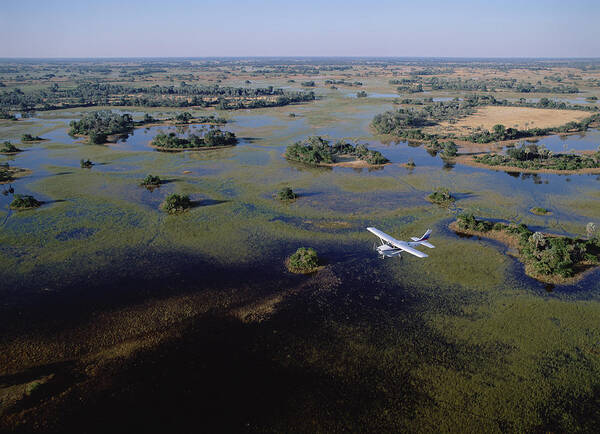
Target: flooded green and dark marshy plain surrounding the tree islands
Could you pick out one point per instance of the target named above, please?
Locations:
(112, 306)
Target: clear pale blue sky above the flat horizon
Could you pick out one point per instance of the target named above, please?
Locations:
(184, 28)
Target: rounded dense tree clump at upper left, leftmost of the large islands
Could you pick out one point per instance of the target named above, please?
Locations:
(99, 125)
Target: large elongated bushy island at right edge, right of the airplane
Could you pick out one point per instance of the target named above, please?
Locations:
(543, 254)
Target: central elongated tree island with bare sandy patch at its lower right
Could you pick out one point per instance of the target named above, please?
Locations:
(316, 150)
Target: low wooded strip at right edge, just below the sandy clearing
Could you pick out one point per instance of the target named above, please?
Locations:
(535, 157)
